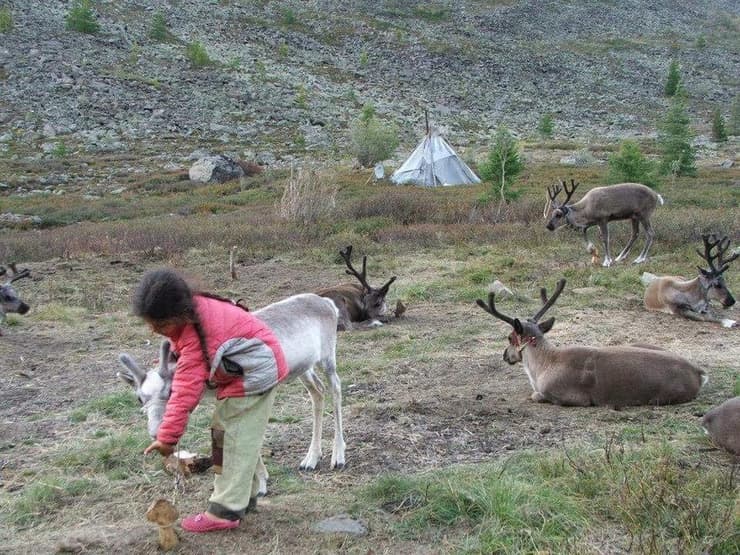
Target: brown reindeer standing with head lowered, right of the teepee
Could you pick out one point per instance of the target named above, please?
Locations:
(601, 205)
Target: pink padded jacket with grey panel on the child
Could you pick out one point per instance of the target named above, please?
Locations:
(222, 322)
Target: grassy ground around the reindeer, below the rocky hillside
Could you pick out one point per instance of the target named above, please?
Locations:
(446, 454)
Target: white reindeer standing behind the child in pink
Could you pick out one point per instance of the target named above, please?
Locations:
(306, 327)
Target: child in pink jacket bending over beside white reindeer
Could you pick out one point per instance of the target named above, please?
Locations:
(200, 327)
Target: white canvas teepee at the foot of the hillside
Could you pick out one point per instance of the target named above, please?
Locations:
(434, 163)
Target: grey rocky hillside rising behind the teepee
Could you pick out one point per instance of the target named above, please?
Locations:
(287, 78)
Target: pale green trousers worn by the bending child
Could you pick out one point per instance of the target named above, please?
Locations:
(238, 429)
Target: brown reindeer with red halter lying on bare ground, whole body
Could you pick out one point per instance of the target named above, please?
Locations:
(582, 376)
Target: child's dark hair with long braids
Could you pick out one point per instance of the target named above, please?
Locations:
(163, 294)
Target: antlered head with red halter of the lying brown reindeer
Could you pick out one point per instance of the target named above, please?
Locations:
(526, 333)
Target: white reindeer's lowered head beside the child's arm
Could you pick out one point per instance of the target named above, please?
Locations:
(153, 387)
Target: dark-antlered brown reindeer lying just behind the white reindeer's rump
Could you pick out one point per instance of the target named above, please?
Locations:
(360, 304)
